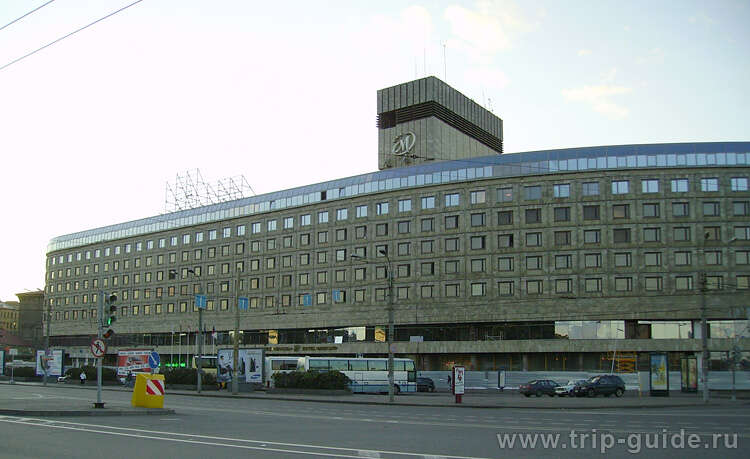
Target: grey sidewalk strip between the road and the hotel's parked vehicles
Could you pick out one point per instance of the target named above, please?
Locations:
(479, 399)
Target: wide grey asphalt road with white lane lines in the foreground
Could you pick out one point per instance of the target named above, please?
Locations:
(221, 427)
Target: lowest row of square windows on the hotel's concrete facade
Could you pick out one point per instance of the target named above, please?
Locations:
(649, 283)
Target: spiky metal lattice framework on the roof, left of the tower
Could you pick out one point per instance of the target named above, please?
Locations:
(189, 191)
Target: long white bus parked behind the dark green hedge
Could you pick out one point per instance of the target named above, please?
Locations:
(367, 375)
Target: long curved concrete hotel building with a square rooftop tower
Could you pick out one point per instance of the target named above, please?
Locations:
(543, 260)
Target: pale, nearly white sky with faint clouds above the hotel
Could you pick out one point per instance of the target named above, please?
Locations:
(93, 127)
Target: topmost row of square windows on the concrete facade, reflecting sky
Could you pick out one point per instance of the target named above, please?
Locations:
(451, 199)
